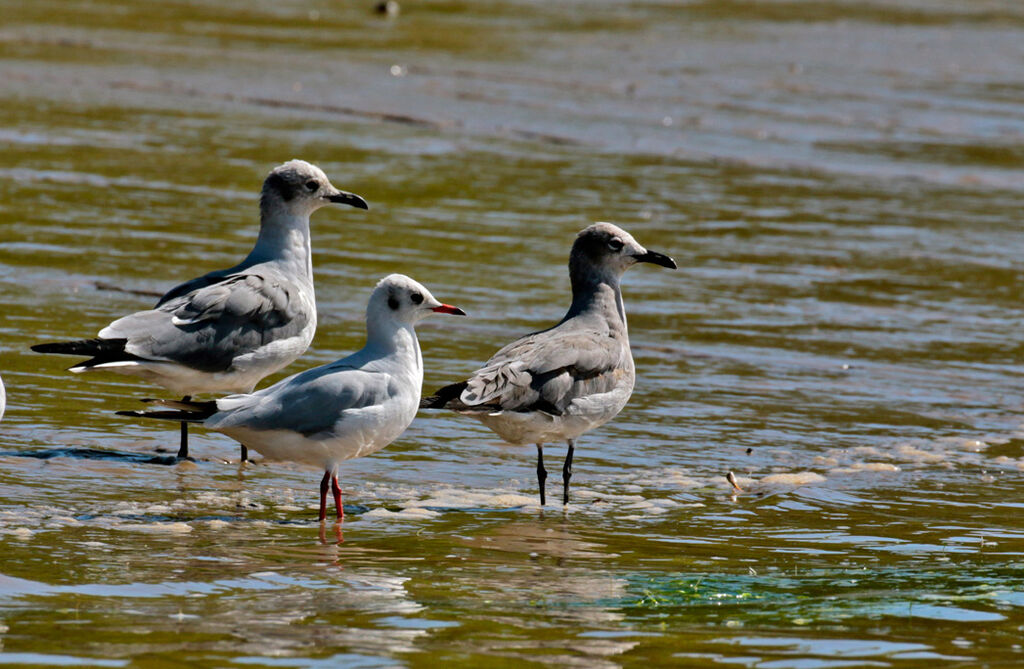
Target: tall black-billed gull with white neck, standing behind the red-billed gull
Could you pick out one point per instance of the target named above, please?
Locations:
(225, 331)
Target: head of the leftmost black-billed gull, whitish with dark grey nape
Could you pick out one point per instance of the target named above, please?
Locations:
(303, 189)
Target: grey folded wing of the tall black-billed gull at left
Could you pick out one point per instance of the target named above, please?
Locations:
(208, 328)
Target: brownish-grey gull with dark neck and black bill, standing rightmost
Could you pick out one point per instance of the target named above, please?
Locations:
(564, 382)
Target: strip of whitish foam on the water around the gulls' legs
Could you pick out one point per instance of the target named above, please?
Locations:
(632, 494)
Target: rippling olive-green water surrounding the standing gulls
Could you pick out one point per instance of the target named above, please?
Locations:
(842, 185)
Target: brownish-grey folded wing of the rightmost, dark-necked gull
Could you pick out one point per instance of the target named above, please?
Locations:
(548, 370)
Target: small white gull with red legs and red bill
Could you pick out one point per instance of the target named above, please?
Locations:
(348, 409)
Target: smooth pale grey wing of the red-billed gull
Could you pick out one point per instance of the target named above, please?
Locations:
(311, 403)
